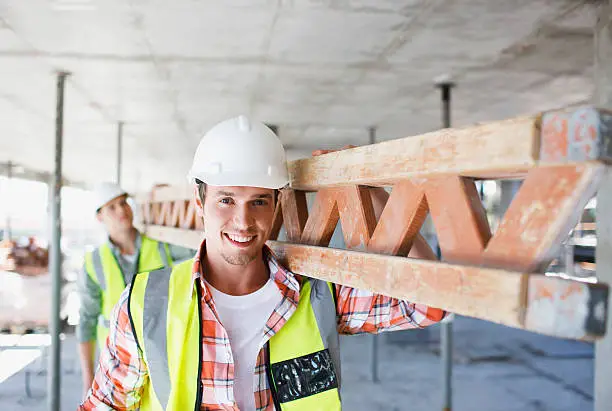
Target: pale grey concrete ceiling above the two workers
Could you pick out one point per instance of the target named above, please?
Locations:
(324, 71)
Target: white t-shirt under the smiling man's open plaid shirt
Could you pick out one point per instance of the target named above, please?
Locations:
(244, 317)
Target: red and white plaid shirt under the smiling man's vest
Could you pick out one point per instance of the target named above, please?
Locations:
(122, 372)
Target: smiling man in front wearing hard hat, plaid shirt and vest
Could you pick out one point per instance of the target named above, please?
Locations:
(233, 329)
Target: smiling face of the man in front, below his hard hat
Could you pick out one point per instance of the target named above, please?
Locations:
(237, 221)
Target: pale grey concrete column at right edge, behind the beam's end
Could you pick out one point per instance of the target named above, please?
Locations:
(603, 98)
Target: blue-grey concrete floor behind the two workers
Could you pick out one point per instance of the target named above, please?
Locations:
(496, 368)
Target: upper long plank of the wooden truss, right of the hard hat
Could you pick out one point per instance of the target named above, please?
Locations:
(500, 149)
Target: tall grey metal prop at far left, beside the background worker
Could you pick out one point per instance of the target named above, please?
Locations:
(53, 377)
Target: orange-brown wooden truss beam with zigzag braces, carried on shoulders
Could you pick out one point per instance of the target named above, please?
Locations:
(494, 276)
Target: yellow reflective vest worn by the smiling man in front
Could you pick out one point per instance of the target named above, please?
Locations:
(303, 364)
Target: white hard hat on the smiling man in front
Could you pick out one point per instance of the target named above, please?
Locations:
(240, 152)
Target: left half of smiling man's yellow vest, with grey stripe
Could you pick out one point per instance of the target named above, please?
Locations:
(169, 347)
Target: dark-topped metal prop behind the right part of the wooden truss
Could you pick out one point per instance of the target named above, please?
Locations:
(446, 330)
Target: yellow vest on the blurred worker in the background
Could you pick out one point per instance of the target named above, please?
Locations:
(104, 270)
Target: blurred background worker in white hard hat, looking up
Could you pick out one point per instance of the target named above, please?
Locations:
(111, 266)
